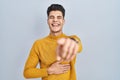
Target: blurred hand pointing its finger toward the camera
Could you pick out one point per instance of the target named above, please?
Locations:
(67, 49)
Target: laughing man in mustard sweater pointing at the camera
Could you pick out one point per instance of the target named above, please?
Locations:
(55, 53)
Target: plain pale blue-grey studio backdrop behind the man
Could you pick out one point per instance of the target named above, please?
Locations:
(96, 22)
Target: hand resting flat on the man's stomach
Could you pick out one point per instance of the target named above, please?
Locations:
(58, 68)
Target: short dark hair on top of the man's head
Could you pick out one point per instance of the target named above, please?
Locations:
(55, 7)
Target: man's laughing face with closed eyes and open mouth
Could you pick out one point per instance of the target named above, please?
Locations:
(55, 21)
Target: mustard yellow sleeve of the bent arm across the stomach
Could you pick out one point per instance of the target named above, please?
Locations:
(30, 70)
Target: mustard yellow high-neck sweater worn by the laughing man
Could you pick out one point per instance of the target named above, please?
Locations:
(43, 52)
